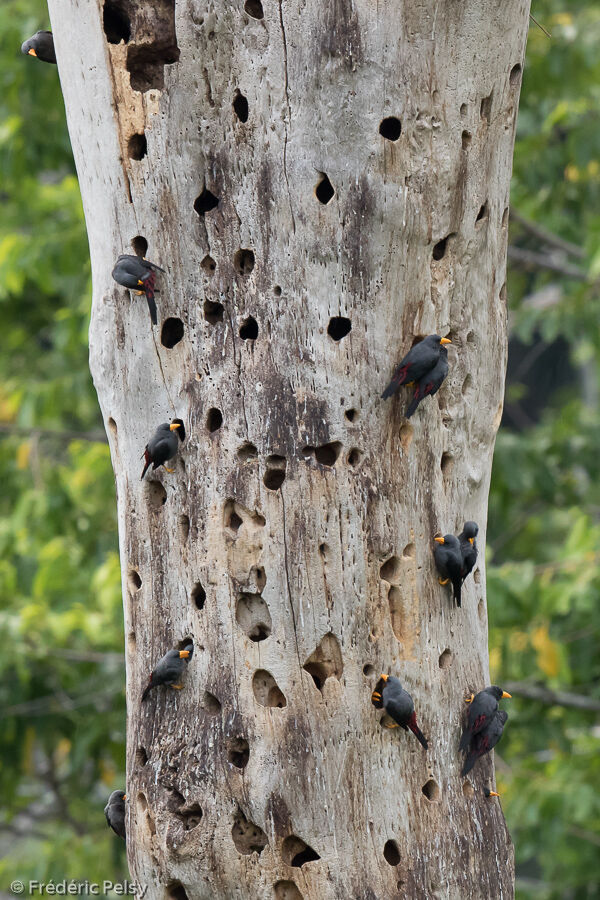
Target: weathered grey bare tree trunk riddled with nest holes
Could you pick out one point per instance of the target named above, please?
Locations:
(293, 542)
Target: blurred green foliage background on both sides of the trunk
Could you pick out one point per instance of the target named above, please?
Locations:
(61, 672)
